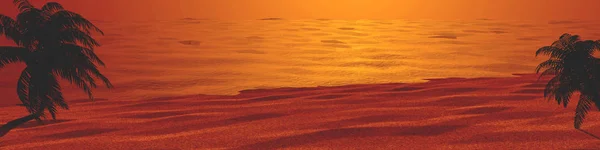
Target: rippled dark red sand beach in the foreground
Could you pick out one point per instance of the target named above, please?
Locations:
(454, 113)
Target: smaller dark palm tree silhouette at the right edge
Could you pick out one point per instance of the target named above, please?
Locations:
(575, 71)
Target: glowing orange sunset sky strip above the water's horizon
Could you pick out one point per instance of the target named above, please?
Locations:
(334, 9)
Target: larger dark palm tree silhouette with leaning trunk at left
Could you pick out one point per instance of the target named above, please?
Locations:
(54, 43)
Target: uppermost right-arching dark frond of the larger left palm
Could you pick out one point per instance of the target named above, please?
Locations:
(64, 19)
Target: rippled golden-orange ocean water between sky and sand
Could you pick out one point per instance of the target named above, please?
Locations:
(195, 56)
